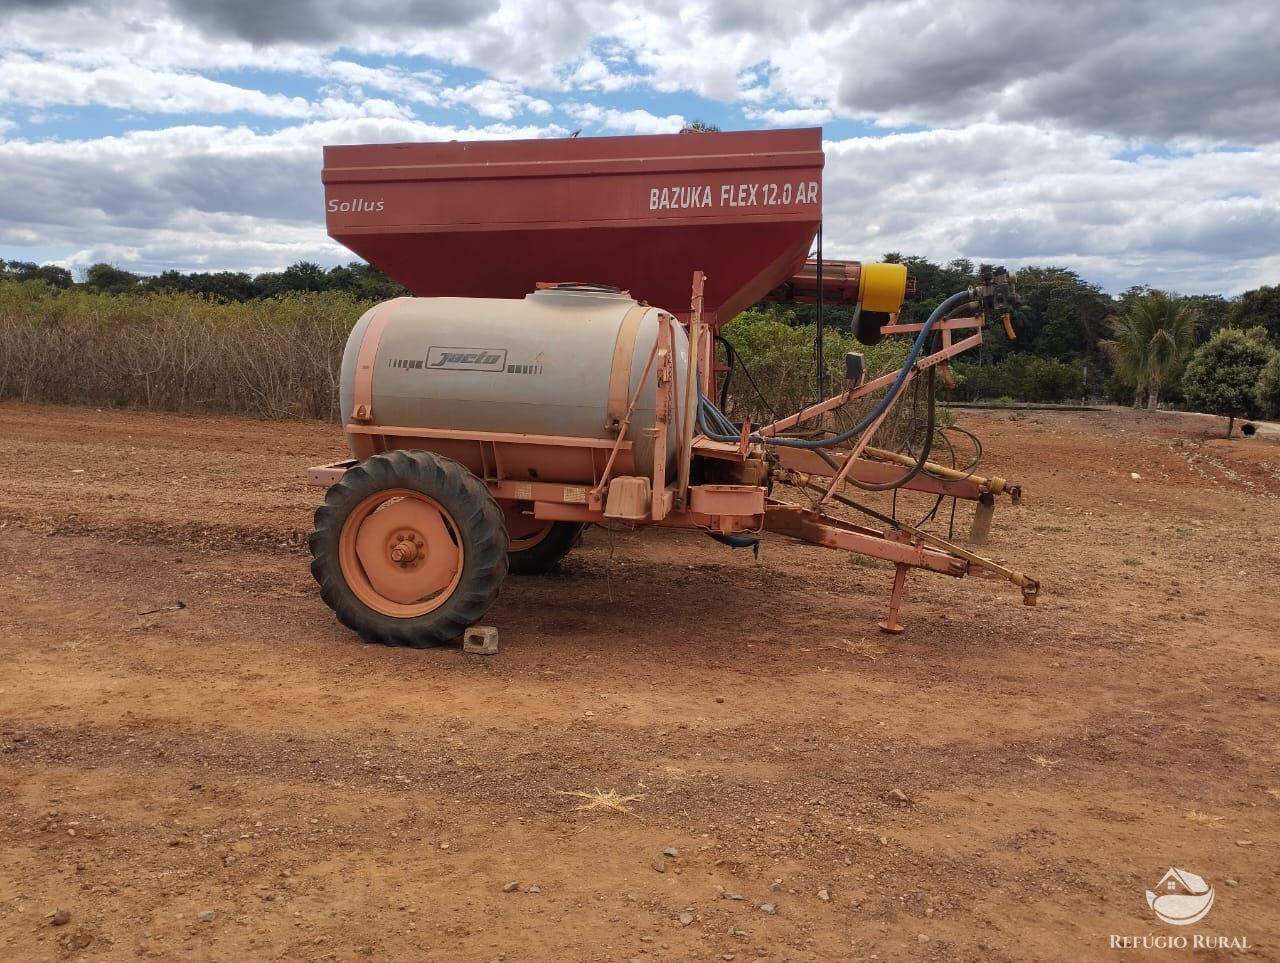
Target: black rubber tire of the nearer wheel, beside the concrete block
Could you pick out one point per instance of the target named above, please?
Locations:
(477, 526)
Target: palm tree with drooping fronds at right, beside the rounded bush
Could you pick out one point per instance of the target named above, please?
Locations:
(1149, 340)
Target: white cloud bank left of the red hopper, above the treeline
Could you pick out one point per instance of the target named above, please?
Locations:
(194, 198)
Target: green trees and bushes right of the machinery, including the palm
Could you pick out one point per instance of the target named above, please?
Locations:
(1076, 343)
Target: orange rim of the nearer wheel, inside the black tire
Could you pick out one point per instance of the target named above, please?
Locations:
(401, 554)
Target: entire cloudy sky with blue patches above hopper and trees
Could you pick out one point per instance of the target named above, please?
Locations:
(1136, 142)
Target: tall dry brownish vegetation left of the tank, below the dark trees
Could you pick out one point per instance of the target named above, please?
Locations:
(175, 353)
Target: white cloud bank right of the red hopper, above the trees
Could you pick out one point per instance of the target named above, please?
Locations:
(1025, 194)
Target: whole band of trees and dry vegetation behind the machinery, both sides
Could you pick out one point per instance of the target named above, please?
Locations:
(269, 344)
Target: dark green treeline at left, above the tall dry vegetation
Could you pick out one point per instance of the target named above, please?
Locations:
(356, 280)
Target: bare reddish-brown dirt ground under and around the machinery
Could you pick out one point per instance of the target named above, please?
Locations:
(241, 779)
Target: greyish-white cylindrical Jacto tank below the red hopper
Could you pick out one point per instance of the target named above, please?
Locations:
(563, 362)
